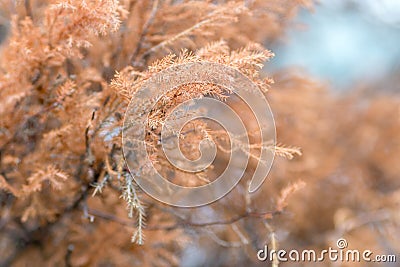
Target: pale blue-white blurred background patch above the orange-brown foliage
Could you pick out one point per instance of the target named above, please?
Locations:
(344, 42)
